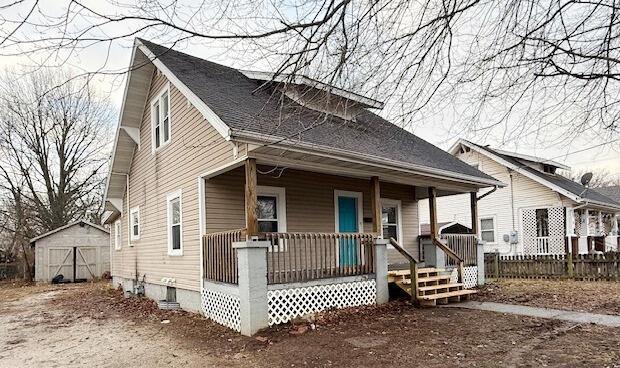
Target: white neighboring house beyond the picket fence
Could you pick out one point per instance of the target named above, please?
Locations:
(538, 212)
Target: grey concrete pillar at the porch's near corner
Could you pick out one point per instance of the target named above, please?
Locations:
(252, 264)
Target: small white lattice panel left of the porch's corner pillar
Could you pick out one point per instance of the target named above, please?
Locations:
(222, 307)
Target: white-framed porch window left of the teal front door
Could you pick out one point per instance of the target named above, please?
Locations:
(271, 210)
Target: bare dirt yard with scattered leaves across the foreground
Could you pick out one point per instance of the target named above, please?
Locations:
(90, 325)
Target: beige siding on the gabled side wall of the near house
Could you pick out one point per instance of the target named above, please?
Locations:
(195, 147)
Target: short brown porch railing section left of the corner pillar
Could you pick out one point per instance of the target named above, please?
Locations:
(220, 259)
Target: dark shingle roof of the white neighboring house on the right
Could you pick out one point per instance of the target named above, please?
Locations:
(555, 179)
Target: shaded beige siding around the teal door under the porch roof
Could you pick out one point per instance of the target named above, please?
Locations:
(309, 202)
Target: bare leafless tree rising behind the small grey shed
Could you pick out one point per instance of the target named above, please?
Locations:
(54, 144)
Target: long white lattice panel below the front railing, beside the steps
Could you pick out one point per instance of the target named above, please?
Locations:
(286, 304)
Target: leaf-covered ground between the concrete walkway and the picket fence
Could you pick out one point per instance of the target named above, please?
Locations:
(580, 296)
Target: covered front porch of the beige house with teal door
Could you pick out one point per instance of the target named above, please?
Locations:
(307, 241)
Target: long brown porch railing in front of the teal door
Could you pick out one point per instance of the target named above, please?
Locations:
(298, 257)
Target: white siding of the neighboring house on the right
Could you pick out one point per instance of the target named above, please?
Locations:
(506, 213)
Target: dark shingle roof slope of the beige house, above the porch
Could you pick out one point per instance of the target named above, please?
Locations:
(244, 104)
